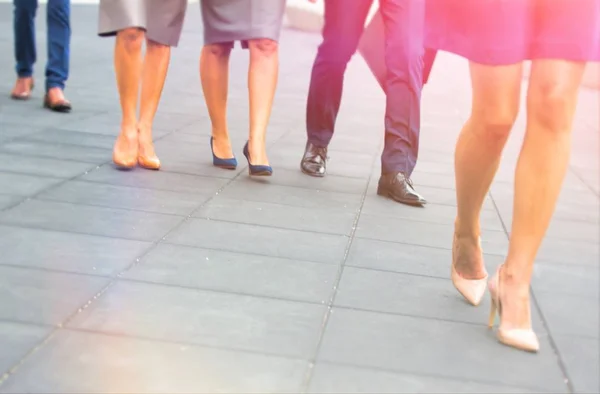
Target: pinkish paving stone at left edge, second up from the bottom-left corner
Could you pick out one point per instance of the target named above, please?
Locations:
(35, 296)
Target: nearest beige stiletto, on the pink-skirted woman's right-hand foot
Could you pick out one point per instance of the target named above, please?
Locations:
(519, 338)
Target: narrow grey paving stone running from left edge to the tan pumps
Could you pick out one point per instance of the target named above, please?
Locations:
(55, 150)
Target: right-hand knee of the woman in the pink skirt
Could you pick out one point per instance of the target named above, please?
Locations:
(551, 106)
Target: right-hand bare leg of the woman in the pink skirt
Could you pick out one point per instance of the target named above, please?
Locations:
(541, 169)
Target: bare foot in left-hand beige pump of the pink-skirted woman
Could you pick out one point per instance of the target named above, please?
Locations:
(467, 257)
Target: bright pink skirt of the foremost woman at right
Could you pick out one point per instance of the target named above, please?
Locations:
(500, 32)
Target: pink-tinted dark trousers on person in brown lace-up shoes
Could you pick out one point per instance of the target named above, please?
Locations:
(404, 49)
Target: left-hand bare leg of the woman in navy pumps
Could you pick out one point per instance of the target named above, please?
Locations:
(214, 75)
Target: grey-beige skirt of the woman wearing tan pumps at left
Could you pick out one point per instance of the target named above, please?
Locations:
(161, 19)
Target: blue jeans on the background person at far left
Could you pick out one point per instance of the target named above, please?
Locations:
(59, 35)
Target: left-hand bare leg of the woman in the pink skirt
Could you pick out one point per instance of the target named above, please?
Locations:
(496, 91)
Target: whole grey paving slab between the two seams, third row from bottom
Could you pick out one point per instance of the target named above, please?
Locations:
(236, 273)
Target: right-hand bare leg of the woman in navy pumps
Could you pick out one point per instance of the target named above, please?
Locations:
(262, 82)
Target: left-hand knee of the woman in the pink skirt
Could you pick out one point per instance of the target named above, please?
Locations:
(494, 122)
